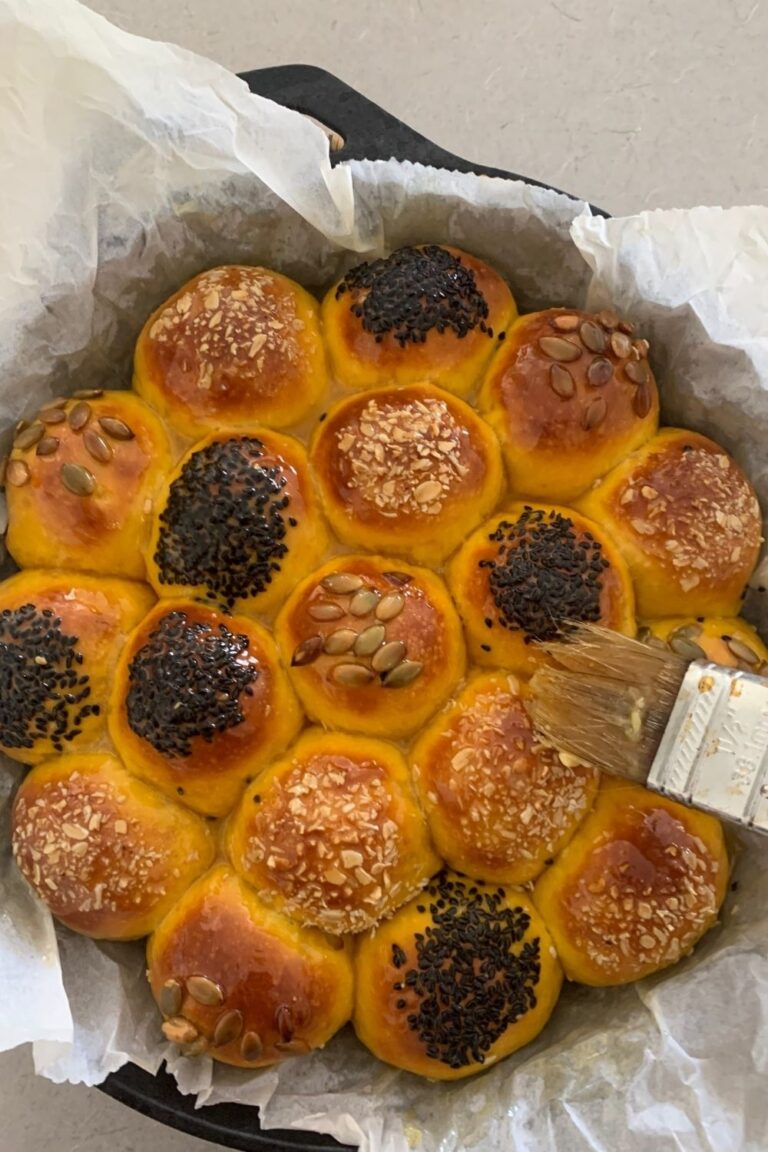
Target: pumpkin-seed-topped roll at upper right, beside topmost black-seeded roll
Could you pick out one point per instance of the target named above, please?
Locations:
(569, 395)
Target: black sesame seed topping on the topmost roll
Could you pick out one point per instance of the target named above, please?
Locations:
(413, 292)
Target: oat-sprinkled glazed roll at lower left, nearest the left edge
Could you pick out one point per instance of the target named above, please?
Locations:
(108, 854)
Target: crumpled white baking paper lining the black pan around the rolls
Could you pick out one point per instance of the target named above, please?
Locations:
(130, 166)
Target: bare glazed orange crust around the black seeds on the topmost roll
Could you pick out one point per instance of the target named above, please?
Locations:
(359, 361)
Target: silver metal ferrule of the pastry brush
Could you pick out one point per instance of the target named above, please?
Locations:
(714, 753)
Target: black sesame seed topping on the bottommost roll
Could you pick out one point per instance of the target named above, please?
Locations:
(476, 975)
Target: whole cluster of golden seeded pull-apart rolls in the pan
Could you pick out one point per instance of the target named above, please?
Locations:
(269, 649)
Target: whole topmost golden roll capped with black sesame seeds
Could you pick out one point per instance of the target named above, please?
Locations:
(429, 314)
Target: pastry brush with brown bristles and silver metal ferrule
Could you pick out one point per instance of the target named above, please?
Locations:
(695, 732)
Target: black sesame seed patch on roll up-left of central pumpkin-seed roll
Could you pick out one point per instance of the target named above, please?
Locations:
(223, 527)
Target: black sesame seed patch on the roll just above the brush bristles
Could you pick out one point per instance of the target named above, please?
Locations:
(545, 575)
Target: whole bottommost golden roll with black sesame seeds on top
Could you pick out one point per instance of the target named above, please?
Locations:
(457, 981)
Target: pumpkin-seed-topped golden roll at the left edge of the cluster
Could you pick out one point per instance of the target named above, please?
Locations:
(81, 483)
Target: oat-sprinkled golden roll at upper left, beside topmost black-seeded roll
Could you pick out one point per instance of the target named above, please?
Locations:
(234, 346)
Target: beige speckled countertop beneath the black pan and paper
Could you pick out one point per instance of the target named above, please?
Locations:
(630, 105)
